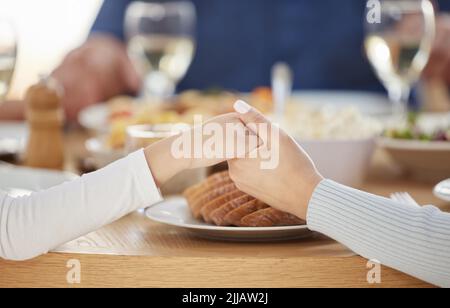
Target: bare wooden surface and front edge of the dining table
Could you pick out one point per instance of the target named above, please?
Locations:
(136, 252)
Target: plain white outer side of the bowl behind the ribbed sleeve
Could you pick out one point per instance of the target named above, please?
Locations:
(344, 161)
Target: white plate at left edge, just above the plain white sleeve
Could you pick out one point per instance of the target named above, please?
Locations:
(19, 181)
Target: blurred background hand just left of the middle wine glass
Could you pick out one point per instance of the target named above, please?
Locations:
(95, 72)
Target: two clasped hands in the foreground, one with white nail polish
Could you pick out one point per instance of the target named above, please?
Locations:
(288, 186)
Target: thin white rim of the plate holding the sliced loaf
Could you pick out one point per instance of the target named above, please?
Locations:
(216, 228)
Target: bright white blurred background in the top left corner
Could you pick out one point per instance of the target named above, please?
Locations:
(47, 31)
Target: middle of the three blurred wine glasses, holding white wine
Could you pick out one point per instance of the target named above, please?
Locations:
(161, 43)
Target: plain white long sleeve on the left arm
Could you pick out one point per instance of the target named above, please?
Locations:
(33, 225)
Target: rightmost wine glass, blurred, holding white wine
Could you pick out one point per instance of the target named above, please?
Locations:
(398, 43)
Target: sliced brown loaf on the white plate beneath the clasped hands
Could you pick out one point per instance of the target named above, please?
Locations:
(218, 201)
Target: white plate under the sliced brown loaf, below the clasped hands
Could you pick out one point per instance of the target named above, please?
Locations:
(175, 212)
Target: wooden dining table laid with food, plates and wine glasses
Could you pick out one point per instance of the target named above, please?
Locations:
(206, 232)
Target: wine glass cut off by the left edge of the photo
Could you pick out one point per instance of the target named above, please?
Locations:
(8, 52)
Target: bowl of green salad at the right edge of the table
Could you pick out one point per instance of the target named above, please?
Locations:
(421, 145)
